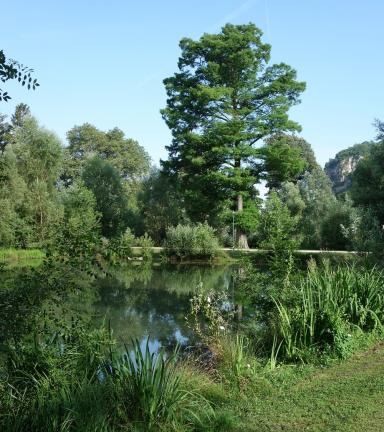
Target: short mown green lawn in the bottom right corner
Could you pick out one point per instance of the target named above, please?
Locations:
(347, 397)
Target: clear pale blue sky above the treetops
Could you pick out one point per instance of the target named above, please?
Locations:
(104, 62)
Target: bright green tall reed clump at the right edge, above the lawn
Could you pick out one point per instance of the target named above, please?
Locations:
(335, 304)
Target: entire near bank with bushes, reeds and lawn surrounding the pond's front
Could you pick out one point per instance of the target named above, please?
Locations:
(308, 358)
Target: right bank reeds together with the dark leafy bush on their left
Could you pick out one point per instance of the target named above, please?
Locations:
(317, 316)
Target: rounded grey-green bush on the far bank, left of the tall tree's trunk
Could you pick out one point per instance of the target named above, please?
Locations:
(187, 241)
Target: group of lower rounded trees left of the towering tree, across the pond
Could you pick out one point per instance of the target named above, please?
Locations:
(44, 187)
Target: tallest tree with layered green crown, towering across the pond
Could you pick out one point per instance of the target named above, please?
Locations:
(221, 104)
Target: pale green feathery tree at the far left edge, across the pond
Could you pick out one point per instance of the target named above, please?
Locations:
(30, 167)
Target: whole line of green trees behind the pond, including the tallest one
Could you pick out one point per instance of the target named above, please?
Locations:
(228, 113)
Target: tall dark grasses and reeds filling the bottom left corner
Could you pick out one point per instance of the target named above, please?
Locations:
(85, 383)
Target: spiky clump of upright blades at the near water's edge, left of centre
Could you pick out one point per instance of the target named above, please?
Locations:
(152, 387)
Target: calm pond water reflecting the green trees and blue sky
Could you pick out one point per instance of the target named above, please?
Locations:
(141, 299)
